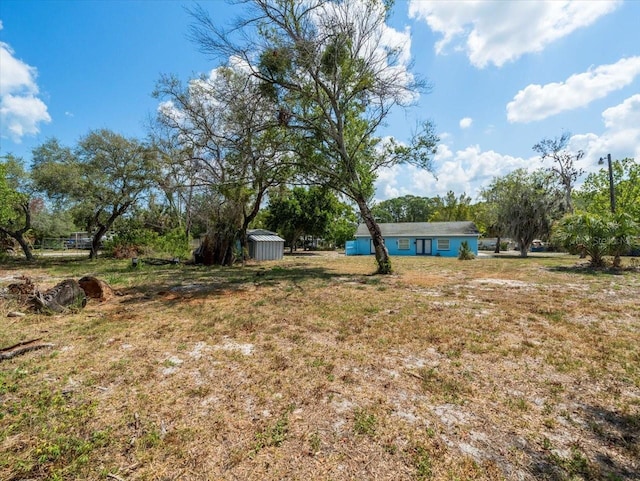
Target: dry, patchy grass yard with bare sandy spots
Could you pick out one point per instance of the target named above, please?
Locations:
(312, 369)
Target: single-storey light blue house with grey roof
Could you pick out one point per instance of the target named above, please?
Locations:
(417, 239)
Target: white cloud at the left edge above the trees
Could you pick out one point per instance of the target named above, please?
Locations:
(21, 111)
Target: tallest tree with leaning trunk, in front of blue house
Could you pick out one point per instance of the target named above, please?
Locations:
(336, 76)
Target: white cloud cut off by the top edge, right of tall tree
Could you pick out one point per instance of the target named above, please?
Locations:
(498, 32)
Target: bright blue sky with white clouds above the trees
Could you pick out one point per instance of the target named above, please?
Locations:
(503, 74)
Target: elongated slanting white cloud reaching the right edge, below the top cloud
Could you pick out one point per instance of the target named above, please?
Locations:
(537, 102)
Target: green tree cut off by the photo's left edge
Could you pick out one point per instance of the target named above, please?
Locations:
(16, 202)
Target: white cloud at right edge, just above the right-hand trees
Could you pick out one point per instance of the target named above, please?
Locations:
(621, 137)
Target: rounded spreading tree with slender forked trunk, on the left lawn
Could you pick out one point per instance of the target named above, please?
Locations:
(102, 178)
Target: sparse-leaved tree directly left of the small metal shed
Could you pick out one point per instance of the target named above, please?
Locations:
(225, 148)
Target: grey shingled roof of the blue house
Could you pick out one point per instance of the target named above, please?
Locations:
(422, 229)
